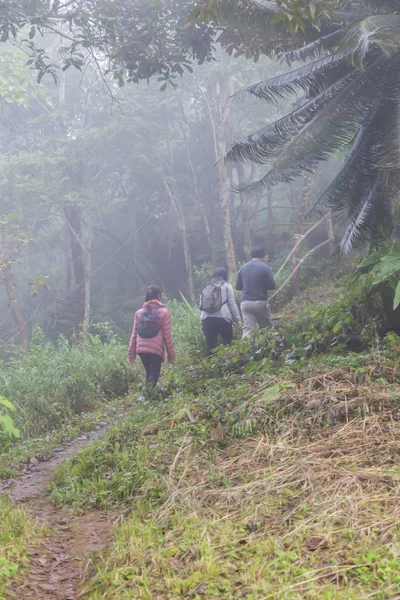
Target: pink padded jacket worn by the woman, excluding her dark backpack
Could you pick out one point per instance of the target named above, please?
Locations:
(138, 345)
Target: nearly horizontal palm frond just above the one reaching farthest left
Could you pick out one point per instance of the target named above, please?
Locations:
(299, 80)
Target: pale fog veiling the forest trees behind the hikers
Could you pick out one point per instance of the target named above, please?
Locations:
(107, 189)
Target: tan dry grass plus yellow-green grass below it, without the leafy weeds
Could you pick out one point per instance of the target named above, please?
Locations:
(312, 511)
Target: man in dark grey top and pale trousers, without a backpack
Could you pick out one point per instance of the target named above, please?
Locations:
(254, 280)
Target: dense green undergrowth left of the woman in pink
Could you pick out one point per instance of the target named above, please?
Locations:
(54, 380)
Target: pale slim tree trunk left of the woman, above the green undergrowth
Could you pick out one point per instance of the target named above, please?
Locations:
(73, 217)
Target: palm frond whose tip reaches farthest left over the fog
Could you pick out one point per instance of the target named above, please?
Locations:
(261, 145)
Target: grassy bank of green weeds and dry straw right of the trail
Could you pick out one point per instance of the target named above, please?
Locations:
(267, 471)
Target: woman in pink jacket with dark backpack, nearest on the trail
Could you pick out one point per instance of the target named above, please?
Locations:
(151, 333)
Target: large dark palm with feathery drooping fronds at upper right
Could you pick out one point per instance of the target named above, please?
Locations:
(351, 103)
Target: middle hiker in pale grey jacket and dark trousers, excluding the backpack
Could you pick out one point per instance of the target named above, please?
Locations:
(220, 322)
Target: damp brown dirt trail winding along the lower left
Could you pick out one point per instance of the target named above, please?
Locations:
(58, 566)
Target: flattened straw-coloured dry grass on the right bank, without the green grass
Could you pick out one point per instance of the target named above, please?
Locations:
(334, 494)
